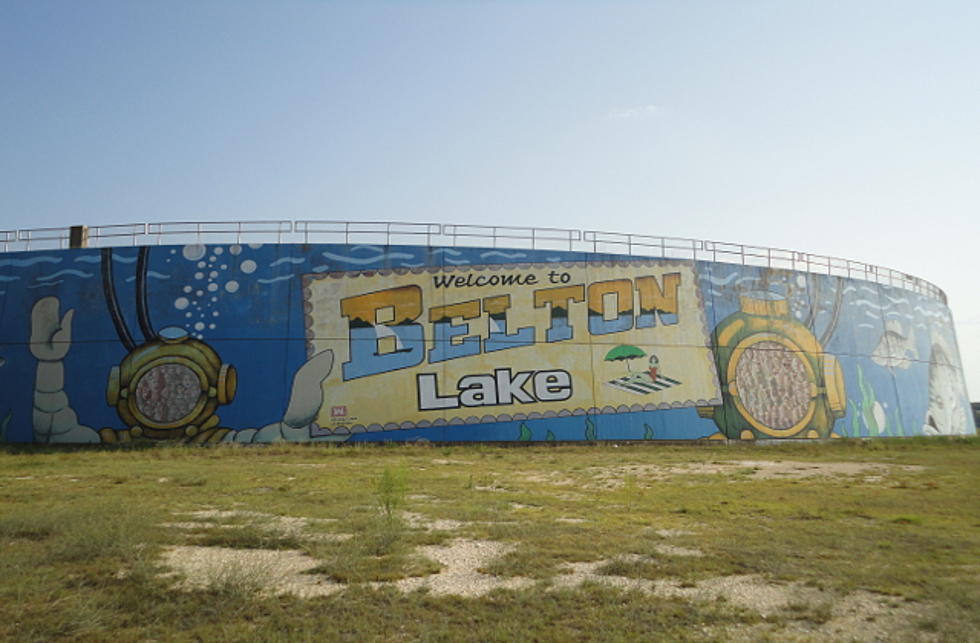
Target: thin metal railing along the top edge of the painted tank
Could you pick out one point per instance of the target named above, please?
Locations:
(464, 235)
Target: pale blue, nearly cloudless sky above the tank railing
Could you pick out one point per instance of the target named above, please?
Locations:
(842, 128)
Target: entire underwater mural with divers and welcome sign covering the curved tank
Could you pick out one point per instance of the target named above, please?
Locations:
(264, 343)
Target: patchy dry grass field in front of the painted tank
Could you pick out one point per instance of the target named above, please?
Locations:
(850, 540)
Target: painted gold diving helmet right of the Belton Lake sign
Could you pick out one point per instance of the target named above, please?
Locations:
(776, 380)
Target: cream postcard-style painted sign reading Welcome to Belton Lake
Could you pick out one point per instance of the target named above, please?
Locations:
(495, 343)
